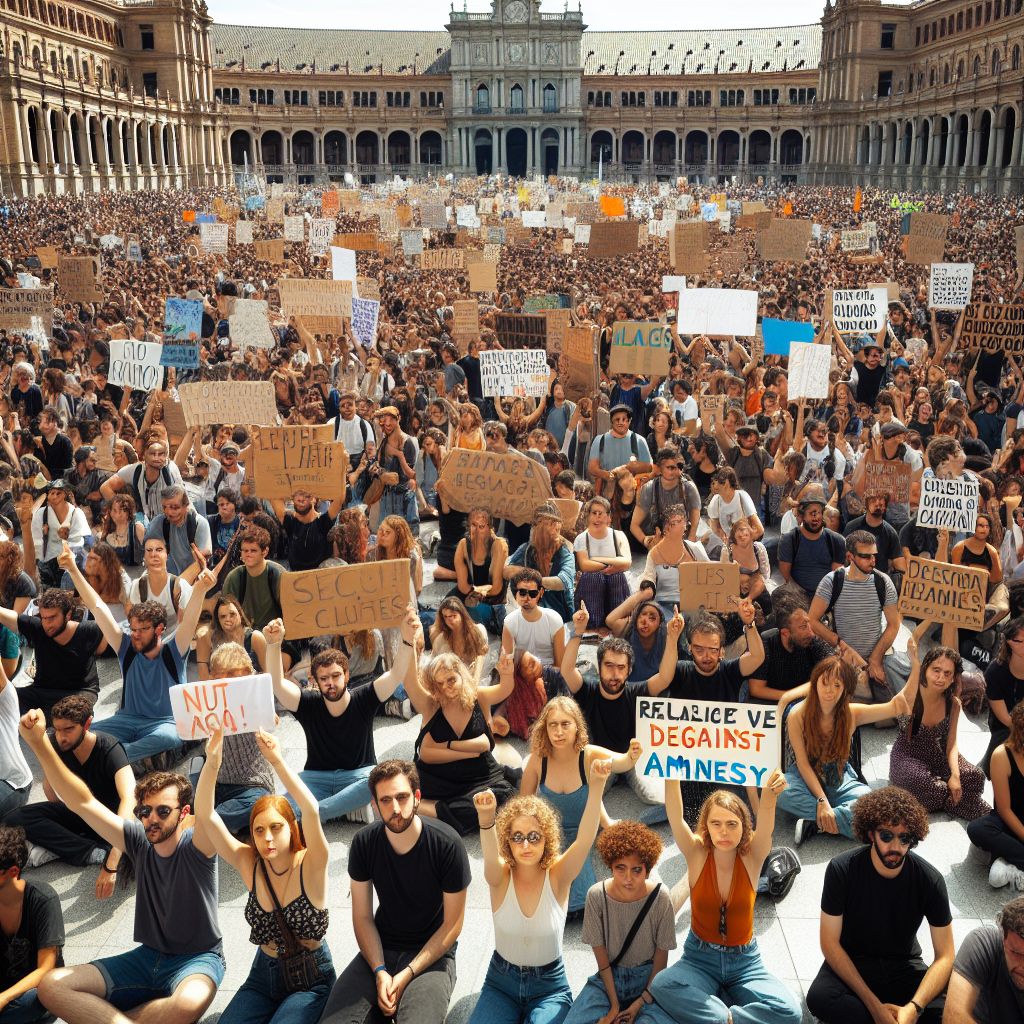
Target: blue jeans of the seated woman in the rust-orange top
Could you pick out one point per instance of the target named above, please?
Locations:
(710, 983)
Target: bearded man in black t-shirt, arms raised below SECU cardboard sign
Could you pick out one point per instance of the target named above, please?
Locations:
(339, 722)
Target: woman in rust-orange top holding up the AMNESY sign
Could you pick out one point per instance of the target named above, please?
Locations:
(721, 975)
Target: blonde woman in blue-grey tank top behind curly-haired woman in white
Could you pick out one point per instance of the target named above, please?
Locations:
(559, 770)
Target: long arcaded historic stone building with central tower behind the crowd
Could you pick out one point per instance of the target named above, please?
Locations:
(139, 94)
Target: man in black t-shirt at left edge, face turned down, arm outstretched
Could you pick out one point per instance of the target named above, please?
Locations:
(66, 652)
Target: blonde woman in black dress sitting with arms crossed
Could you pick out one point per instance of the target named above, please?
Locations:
(454, 751)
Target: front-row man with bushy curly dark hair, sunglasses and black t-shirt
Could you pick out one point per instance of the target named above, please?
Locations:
(873, 904)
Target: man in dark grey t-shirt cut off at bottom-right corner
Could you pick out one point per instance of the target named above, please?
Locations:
(988, 984)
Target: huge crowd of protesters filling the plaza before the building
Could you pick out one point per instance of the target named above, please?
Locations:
(127, 536)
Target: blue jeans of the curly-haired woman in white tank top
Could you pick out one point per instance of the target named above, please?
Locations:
(515, 995)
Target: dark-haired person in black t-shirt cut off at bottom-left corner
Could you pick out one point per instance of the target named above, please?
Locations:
(36, 948)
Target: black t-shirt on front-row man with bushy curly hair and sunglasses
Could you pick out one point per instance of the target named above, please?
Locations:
(881, 917)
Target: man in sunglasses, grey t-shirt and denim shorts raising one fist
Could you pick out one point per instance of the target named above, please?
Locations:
(180, 960)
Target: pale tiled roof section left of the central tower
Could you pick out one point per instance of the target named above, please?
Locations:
(365, 51)
